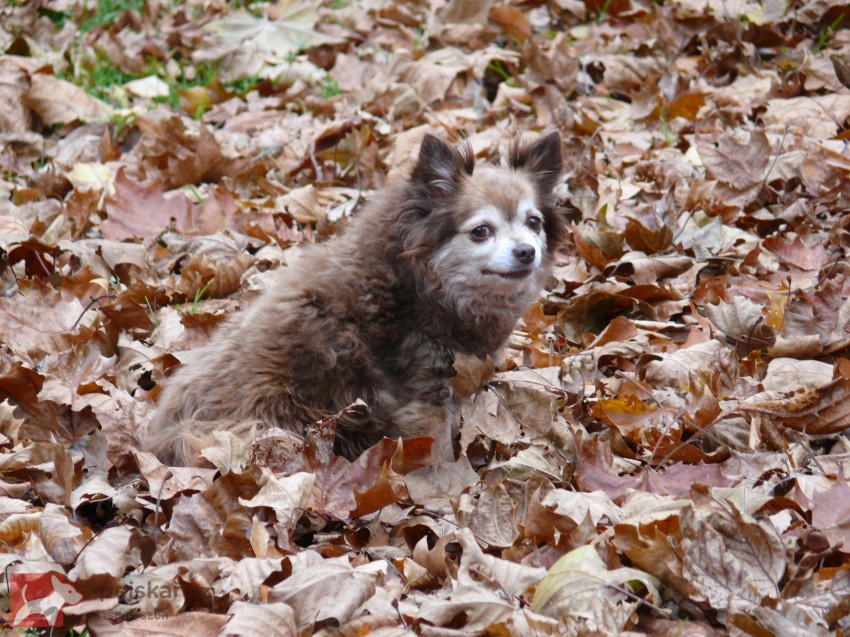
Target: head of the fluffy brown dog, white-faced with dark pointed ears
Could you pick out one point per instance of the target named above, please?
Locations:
(488, 231)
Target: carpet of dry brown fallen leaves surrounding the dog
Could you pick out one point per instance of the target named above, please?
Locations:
(662, 449)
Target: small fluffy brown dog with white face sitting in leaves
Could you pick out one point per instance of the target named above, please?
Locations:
(443, 261)
